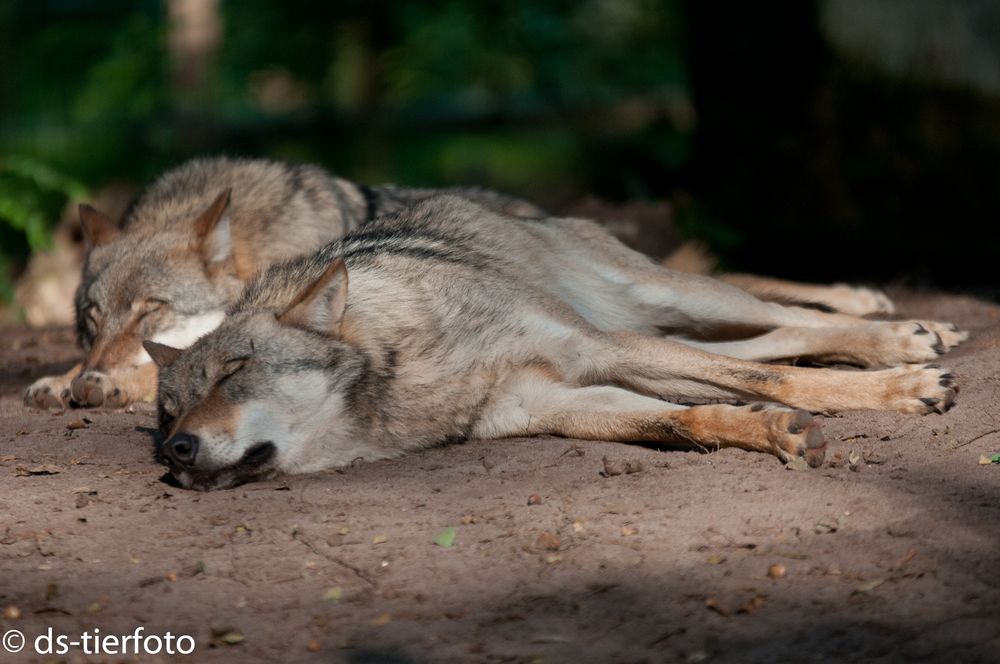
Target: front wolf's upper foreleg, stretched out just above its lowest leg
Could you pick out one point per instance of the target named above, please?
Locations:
(668, 369)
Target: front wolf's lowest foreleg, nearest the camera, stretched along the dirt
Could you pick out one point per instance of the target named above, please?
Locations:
(535, 405)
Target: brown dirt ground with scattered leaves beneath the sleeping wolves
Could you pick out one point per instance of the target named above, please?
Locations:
(895, 560)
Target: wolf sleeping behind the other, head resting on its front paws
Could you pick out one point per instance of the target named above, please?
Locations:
(184, 250)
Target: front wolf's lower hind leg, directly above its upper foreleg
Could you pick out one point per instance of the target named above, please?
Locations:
(876, 344)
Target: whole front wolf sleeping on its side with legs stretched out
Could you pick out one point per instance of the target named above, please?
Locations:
(449, 321)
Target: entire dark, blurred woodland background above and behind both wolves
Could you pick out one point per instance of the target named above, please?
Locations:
(820, 140)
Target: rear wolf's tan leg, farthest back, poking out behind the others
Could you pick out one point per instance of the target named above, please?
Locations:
(851, 300)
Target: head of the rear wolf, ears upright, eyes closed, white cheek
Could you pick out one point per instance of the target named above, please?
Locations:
(170, 286)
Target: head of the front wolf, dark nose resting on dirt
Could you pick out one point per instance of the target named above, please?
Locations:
(271, 390)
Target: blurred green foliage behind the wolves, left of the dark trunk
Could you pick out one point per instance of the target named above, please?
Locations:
(533, 96)
